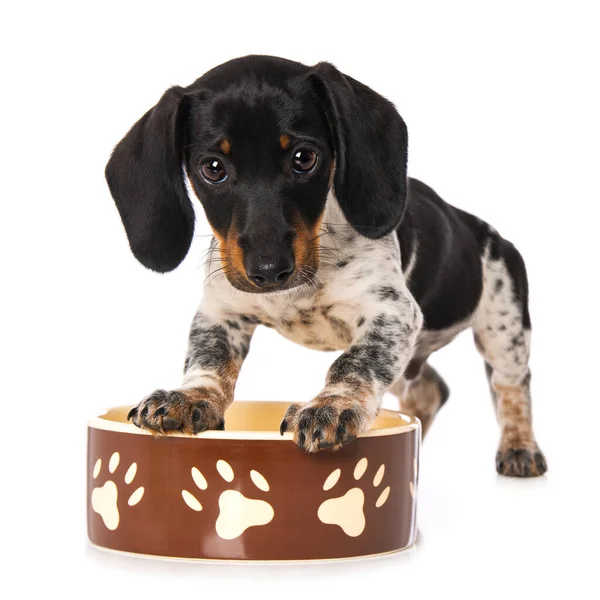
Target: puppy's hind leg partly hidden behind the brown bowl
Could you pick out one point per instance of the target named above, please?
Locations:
(421, 392)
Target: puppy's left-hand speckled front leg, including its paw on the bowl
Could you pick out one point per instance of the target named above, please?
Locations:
(218, 344)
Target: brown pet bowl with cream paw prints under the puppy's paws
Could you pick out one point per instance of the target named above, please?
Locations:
(248, 493)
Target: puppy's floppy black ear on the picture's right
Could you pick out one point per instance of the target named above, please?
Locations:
(370, 142)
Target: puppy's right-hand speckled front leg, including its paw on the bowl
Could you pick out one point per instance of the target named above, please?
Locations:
(382, 347)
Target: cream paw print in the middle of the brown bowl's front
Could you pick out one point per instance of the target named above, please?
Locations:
(236, 512)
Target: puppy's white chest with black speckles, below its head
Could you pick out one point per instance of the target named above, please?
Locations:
(358, 280)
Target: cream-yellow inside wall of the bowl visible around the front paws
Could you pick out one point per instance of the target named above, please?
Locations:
(266, 417)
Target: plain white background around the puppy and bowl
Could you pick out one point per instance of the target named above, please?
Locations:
(502, 106)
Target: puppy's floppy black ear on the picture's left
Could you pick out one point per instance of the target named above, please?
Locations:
(146, 179)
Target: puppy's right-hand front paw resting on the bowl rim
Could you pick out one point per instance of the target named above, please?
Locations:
(330, 422)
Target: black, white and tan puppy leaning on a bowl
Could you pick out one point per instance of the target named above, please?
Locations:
(319, 234)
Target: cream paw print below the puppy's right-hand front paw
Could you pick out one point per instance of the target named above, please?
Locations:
(347, 510)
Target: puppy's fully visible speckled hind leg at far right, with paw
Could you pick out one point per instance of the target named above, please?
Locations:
(502, 331)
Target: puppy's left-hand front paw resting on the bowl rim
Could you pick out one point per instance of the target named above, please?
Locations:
(188, 411)
